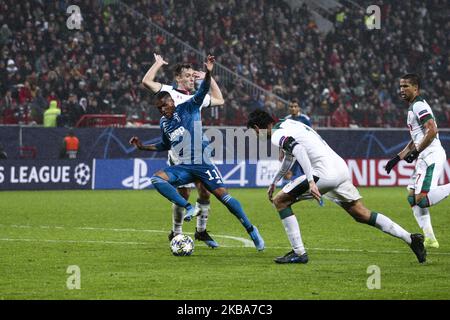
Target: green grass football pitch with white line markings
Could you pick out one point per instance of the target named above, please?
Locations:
(118, 239)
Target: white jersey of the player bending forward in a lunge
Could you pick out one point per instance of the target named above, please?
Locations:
(324, 161)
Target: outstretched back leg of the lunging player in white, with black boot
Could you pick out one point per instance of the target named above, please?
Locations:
(363, 215)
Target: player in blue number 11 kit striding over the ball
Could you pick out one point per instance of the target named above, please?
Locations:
(181, 131)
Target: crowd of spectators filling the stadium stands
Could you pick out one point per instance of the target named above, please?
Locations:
(348, 76)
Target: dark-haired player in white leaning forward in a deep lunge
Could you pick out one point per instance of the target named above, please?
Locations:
(325, 173)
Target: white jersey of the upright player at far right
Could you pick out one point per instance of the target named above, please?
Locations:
(420, 112)
